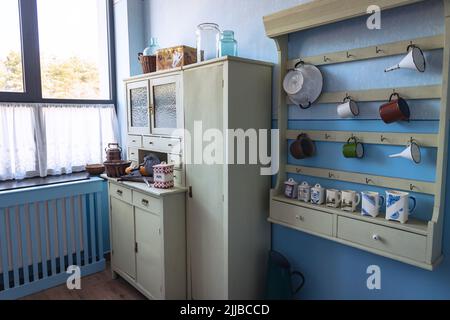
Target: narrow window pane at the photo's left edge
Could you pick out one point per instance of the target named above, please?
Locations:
(11, 74)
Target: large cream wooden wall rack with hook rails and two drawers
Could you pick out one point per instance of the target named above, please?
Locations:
(417, 242)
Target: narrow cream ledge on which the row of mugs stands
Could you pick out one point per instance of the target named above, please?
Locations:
(413, 225)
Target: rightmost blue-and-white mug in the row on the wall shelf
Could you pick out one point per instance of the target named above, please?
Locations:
(397, 205)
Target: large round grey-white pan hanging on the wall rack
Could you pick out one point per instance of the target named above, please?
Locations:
(303, 84)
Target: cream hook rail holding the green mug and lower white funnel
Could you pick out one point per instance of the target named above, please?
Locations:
(384, 138)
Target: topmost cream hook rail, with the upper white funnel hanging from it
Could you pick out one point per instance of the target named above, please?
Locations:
(378, 51)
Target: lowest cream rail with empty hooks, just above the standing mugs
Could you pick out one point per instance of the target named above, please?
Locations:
(366, 179)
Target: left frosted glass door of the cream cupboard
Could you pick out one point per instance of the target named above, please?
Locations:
(138, 107)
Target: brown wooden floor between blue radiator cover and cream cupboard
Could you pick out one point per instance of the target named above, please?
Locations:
(99, 286)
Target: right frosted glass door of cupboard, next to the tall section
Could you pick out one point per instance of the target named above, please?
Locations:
(166, 105)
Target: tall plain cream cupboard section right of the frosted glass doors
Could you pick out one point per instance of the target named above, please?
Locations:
(227, 205)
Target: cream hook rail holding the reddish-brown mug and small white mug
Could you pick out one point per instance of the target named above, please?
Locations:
(408, 93)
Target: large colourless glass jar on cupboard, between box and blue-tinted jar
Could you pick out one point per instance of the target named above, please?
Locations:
(208, 38)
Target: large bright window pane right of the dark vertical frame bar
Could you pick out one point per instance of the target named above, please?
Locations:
(73, 39)
